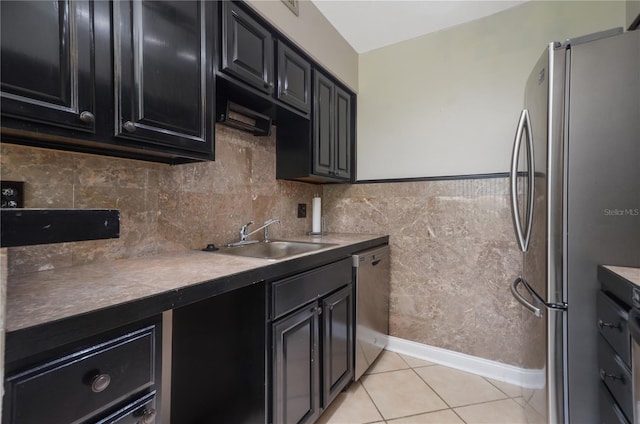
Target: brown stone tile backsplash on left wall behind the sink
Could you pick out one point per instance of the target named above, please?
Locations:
(163, 208)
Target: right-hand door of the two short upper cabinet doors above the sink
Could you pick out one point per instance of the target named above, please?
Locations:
(294, 78)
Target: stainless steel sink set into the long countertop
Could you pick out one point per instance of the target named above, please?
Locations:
(275, 249)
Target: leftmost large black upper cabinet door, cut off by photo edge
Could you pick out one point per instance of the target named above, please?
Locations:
(47, 62)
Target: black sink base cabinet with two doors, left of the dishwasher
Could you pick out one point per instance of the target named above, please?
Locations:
(312, 342)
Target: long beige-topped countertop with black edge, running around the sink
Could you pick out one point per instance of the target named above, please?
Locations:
(157, 283)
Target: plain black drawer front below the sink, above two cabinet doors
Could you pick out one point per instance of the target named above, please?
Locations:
(293, 292)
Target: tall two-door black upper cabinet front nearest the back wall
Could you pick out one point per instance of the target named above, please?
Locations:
(332, 129)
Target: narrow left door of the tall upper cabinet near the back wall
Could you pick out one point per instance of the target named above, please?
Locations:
(323, 122)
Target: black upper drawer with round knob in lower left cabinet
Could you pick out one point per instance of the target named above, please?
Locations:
(73, 387)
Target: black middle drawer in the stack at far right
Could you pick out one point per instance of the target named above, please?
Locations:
(616, 377)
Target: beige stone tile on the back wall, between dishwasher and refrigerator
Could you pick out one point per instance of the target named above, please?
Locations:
(453, 256)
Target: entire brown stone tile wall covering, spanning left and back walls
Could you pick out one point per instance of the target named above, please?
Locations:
(453, 252)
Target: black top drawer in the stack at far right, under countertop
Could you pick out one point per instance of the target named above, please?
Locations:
(612, 324)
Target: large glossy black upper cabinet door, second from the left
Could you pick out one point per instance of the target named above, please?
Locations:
(163, 69)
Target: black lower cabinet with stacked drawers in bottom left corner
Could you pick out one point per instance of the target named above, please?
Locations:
(111, 378)
